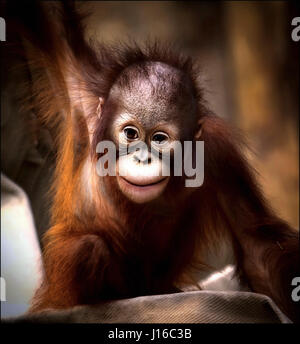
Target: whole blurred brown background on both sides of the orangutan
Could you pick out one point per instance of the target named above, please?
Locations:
(250, 69)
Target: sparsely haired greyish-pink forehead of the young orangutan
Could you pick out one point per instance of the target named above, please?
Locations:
(154, 89)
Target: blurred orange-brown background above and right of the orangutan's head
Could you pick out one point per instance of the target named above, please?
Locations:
(250, 70)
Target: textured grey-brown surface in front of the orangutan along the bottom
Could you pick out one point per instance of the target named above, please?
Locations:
(186, 307)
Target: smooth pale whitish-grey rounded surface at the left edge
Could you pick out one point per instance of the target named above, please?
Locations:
(21, 265)
